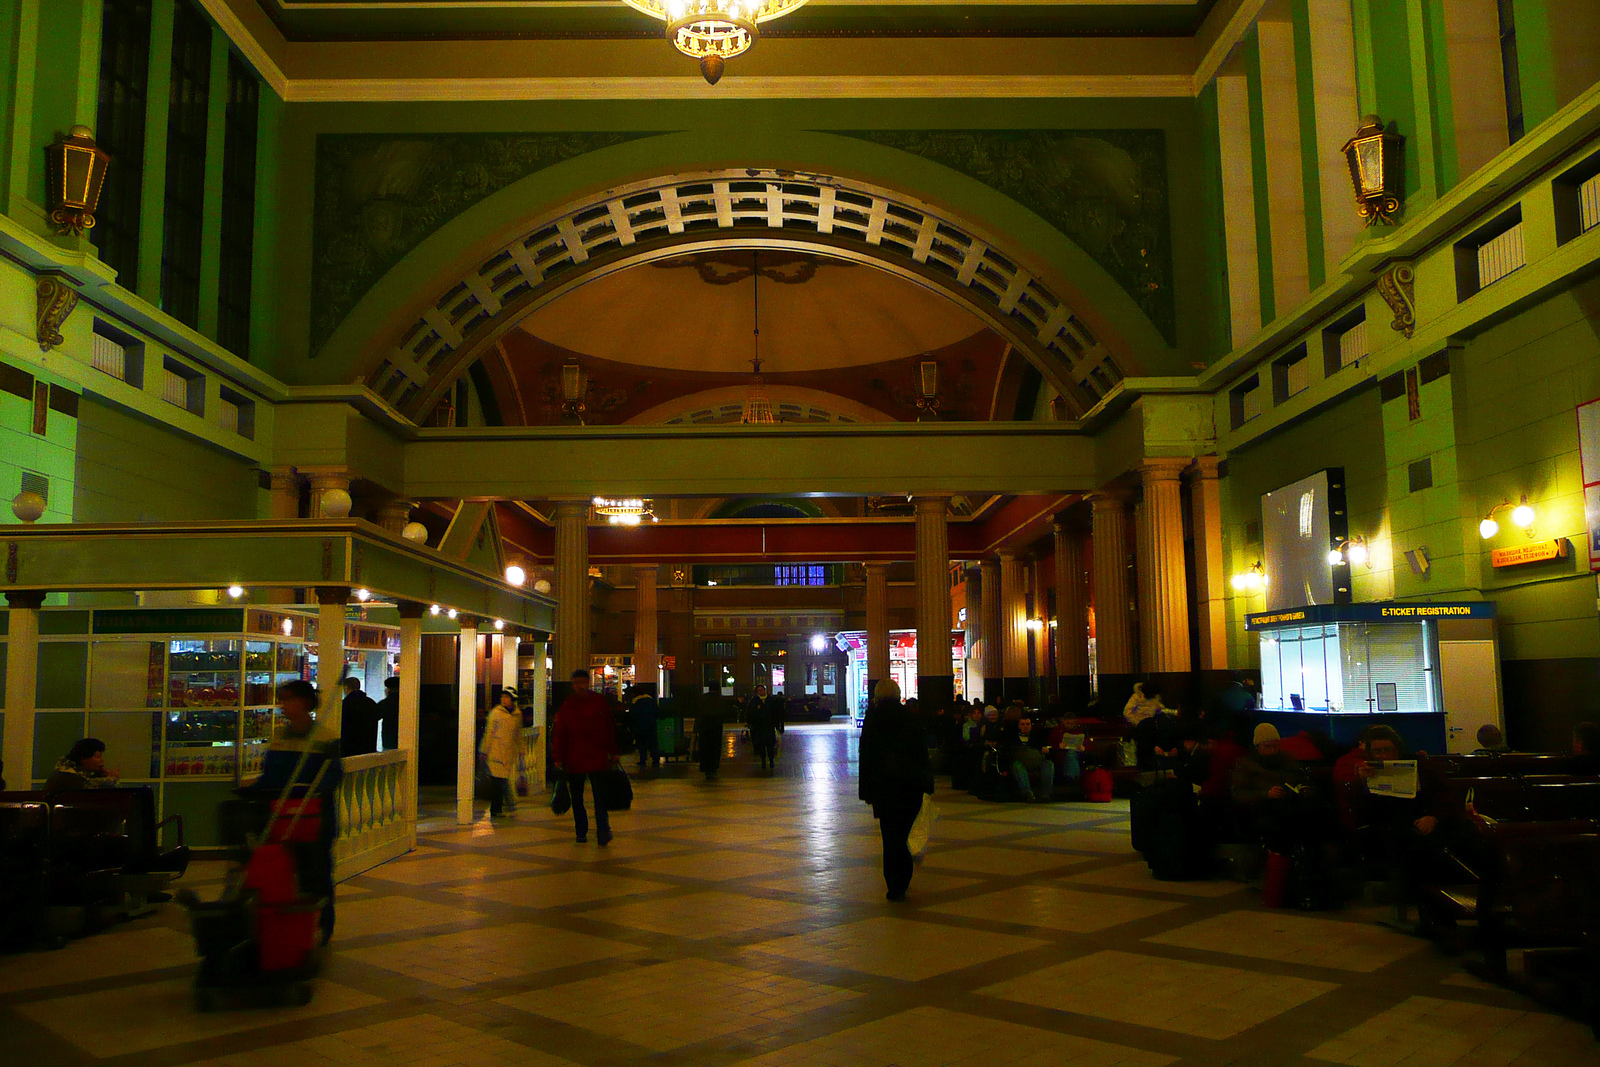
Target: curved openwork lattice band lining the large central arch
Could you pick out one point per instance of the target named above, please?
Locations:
(745, 209)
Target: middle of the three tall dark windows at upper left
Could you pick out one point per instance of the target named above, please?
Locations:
(186, 129)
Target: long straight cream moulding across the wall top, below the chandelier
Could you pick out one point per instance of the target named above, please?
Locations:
(751, 87)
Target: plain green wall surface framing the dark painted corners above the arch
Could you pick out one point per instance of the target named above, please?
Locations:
(791, 127)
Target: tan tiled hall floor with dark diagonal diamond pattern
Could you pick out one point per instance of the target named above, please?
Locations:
(743, 922)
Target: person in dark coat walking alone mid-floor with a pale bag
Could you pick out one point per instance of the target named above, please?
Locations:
(895, 777)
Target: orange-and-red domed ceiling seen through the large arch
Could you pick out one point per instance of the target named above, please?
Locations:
(673, 343)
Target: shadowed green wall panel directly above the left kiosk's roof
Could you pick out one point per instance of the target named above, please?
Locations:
(134, 471)
